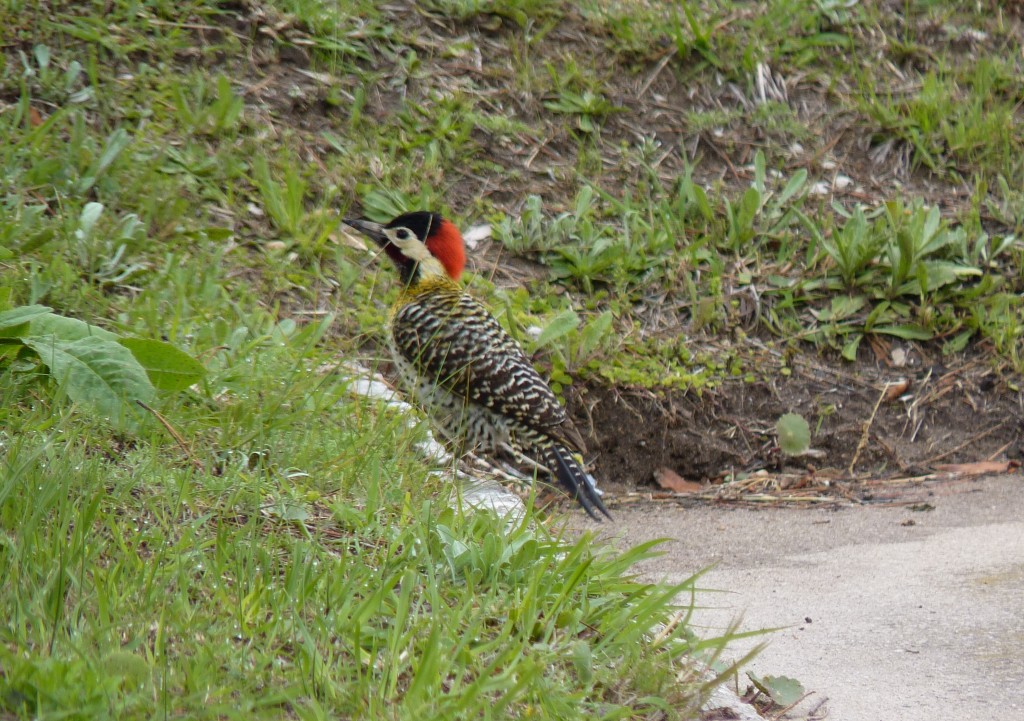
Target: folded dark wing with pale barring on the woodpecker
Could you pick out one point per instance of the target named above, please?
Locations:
(463, 348)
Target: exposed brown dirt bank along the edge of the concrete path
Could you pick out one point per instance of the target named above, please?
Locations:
(960, 414)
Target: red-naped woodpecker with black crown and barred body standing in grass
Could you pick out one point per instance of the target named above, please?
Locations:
(474, 380)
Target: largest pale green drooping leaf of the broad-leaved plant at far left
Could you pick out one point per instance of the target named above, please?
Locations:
(99, 373)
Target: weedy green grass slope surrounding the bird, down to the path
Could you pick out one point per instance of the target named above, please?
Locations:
(179, 172)
